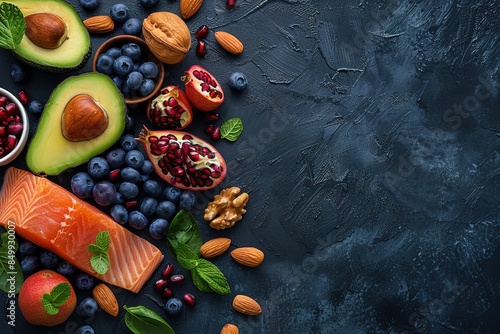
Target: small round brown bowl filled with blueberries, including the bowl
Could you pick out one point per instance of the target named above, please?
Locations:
(127, 60)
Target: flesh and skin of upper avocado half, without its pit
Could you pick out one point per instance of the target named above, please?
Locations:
(74, 52)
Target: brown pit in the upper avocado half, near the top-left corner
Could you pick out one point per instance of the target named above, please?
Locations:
(46, 30)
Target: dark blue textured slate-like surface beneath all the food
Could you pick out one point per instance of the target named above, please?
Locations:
(371, 156)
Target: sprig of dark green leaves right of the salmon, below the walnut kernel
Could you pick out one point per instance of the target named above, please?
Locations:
(184, 242)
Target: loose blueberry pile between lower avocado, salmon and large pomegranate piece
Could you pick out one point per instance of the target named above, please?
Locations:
(120, 181)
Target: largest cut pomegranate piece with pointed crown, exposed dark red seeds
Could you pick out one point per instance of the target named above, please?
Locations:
(183, 160)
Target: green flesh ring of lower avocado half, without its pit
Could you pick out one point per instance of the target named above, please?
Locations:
(49, 151)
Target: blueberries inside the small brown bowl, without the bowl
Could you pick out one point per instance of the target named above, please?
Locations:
(127, 67)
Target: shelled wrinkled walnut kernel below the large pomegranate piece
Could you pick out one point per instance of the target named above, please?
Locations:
(226, 209)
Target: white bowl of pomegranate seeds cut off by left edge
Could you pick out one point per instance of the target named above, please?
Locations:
(14, 127)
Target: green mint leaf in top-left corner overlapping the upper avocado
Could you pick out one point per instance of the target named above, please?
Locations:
(12, 26)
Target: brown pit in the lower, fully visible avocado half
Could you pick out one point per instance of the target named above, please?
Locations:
(83, 119)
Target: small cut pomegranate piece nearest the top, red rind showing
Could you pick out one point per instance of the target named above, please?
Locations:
(202, 89)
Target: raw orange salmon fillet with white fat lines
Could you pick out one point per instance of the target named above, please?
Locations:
(54, 218)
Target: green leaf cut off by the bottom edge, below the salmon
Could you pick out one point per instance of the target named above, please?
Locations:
(142, 320)
